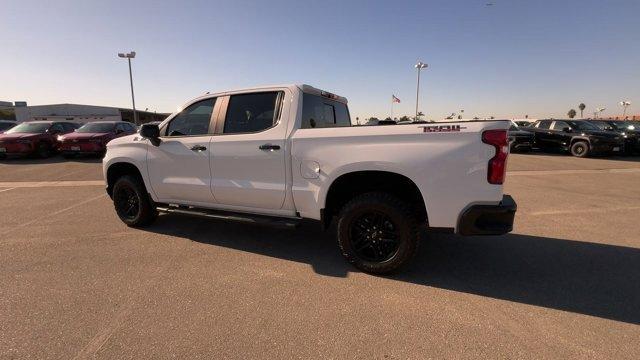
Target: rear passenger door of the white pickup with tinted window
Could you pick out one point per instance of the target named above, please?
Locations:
(248, 151)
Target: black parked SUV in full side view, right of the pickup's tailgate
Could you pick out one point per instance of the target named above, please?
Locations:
(579, 137)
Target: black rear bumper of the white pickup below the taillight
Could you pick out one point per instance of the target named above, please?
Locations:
(488, 219)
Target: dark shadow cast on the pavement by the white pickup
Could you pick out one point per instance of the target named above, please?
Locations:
(581, 277)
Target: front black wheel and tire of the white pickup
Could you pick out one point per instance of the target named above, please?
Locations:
(132, 202)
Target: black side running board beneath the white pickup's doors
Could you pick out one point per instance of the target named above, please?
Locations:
(230, 216)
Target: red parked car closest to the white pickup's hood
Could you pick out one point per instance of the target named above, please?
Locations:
(92, 138)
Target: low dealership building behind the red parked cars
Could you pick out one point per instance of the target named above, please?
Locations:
(79, 113)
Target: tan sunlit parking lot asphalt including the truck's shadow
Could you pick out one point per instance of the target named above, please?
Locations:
(77, 283)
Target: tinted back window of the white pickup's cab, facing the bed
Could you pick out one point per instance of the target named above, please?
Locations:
(319, 112)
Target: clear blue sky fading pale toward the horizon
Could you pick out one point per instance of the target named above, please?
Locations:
(507, 60)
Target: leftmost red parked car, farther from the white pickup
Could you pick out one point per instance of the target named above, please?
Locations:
(34, 138)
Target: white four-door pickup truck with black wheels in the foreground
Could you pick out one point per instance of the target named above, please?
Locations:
(280, 154)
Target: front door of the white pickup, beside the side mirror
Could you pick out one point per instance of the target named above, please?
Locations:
(179, 166)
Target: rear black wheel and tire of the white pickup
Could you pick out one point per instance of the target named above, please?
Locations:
(378, 233)
